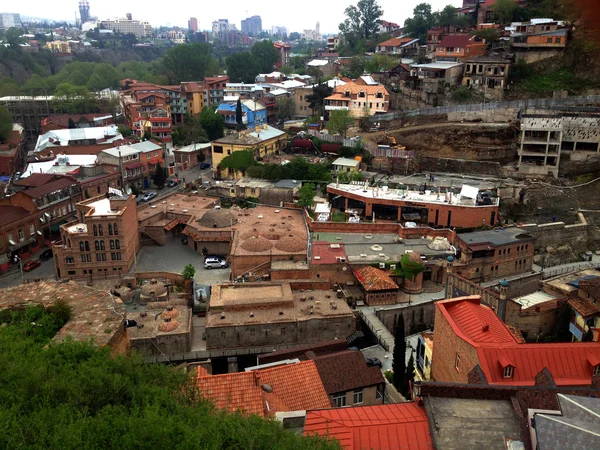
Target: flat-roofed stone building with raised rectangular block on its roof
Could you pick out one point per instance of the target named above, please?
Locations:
(271, 314)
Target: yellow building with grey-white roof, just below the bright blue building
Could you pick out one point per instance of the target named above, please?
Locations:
(263, 140)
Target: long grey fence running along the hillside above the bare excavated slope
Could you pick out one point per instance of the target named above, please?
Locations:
(517, 104)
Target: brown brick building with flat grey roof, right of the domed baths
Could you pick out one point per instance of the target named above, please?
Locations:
(486, 255)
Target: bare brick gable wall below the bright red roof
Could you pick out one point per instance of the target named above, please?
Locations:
(447, 346)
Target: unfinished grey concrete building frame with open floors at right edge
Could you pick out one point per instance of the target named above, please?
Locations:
(546, 137)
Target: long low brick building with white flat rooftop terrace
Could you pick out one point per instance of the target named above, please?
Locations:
(435, 210)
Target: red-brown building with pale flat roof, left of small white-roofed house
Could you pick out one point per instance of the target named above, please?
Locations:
(136, 162)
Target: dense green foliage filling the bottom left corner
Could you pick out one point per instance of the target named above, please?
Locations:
(74, 395)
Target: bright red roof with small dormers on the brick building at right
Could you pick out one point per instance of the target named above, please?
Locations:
(568, 363)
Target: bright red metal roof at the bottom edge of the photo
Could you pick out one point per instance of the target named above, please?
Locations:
(394, 426)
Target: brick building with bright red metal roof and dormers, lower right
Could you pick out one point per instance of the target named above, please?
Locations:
(472, 345)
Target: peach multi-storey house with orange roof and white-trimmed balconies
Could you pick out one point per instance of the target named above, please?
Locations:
(359, 98)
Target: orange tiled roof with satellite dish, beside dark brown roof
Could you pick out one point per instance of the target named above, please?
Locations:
(295, 387)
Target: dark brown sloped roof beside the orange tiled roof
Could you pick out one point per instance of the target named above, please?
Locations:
(345, 371)
